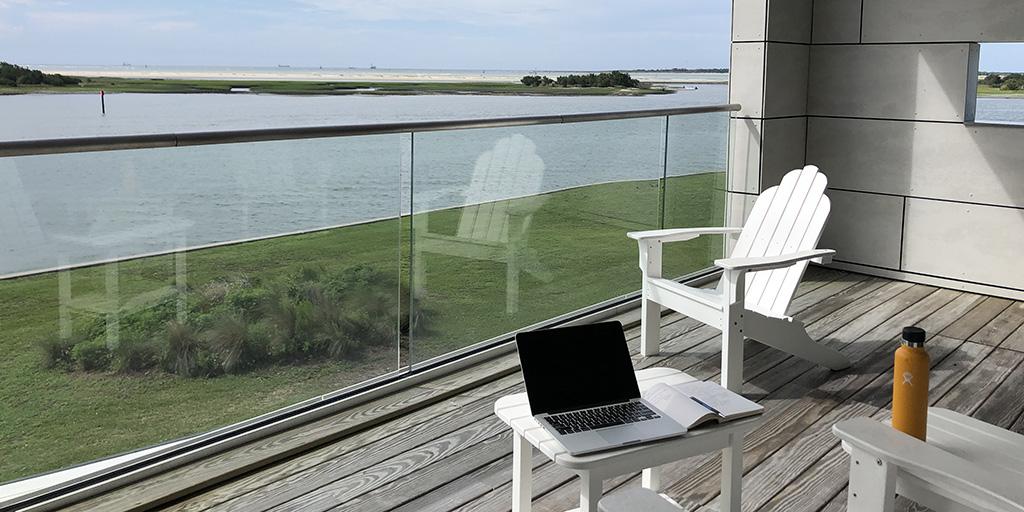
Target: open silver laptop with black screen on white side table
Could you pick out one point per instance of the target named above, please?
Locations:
(582, 389)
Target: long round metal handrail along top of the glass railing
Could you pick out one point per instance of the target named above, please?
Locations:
(118, 143)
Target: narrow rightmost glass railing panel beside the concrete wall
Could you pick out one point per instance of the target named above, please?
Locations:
(695, 193)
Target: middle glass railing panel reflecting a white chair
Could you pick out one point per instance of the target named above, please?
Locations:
(519, 226)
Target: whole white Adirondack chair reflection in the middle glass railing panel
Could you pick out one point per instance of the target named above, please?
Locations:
(501, 200)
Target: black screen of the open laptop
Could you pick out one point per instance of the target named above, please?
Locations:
(575, 368)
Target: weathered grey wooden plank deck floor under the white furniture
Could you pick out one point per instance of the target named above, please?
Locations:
(439, 447)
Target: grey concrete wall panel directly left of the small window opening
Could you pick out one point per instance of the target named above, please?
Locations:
(906, 81)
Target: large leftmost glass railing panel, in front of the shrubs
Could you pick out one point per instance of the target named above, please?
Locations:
(116, 357)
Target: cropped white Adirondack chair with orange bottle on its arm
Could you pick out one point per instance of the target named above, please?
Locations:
(967, 464)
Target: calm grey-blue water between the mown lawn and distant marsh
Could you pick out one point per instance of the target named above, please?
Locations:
(75, 208)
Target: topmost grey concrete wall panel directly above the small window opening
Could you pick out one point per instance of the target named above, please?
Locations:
(936, 21)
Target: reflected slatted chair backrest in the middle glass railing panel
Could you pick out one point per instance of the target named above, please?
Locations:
(510, 169)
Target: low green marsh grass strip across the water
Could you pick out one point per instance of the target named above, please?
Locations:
(311, 88)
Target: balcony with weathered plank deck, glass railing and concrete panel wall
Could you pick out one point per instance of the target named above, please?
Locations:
(327, 347)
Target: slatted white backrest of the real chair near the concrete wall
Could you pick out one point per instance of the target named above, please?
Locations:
(786, 220)
